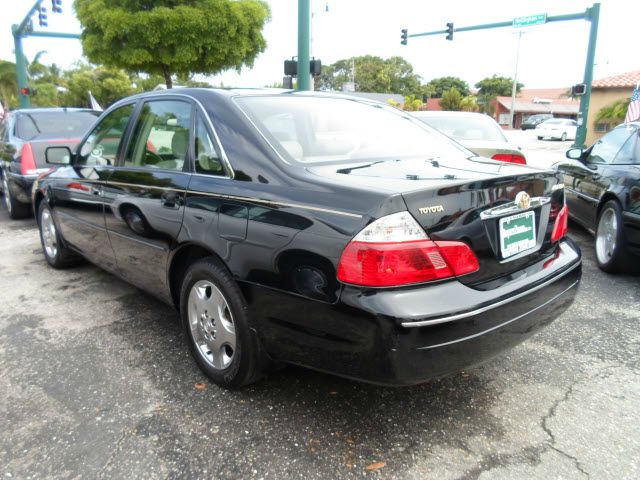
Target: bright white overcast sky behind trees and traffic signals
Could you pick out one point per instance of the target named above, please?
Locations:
(551, 55)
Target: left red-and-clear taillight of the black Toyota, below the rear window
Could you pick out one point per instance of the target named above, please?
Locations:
(394, 250)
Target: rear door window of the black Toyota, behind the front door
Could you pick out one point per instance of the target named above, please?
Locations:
(161, 136)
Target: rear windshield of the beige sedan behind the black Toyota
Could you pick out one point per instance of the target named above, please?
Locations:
(461, 127)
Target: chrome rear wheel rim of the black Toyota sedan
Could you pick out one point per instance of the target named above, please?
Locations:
(211, 322)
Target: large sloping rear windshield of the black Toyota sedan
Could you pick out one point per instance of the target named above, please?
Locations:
(314, 130)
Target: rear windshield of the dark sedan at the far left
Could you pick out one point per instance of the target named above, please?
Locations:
(54, 124)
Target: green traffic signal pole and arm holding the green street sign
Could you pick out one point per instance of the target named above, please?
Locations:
(591, 15)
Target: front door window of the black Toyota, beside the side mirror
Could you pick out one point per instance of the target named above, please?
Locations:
(103, 144)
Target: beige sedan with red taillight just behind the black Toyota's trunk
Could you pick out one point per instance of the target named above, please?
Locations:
(479, 133)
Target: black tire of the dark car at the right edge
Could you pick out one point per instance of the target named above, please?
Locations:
(613, 259)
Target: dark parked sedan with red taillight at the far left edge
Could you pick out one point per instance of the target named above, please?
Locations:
(24, 137)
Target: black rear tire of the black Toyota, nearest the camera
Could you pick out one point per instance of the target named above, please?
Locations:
(247, 361)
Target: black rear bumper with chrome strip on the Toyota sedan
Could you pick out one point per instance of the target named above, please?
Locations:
(407, 336)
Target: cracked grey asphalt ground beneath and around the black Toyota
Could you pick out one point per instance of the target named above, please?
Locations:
(97, 382)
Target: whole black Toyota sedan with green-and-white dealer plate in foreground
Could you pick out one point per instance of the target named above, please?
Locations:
(312, 229)
